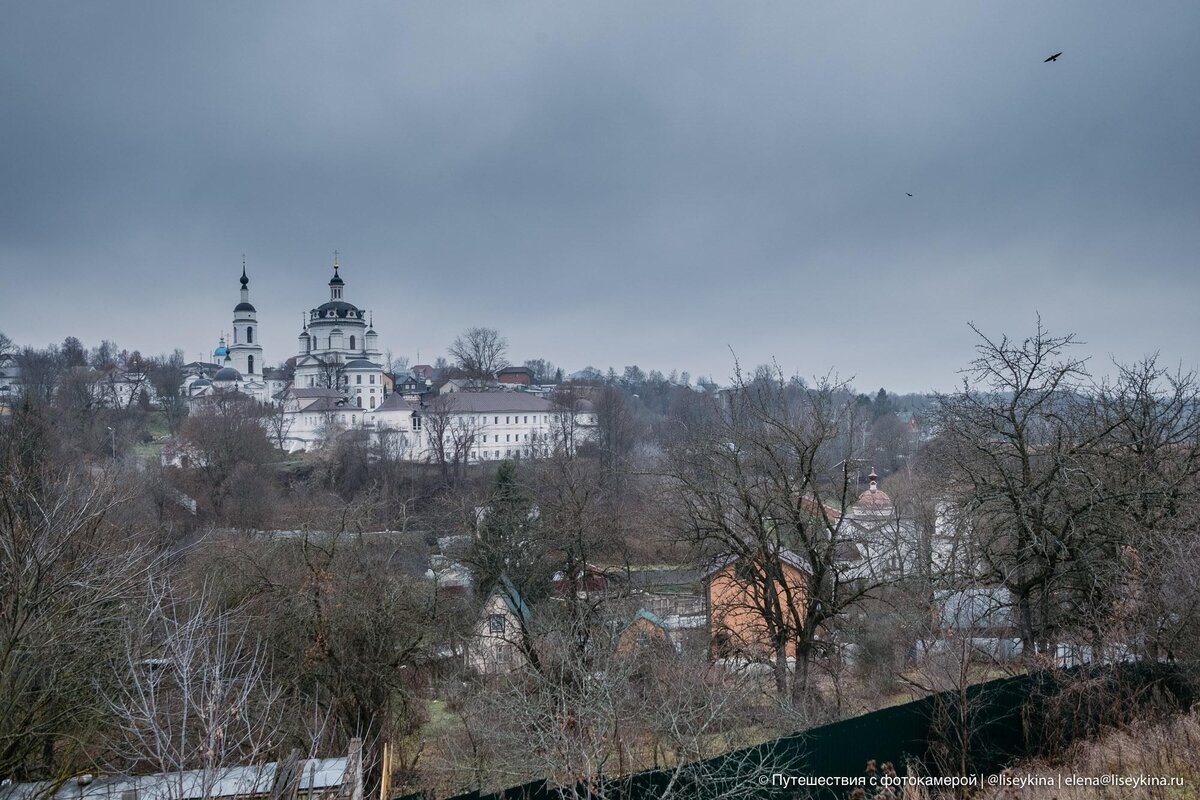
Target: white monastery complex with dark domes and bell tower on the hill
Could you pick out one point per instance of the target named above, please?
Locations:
(340, 386)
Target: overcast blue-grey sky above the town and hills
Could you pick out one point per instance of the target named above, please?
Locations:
(611, 183)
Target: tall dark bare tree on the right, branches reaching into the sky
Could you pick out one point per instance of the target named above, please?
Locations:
(1034, 449)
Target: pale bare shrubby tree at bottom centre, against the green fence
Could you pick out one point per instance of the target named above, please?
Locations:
(604, 706)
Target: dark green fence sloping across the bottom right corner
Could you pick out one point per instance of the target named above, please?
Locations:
(979, 732)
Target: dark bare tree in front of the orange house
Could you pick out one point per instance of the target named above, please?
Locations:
(765, 482)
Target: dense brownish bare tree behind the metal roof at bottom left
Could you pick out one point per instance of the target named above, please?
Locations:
(349, 633)
